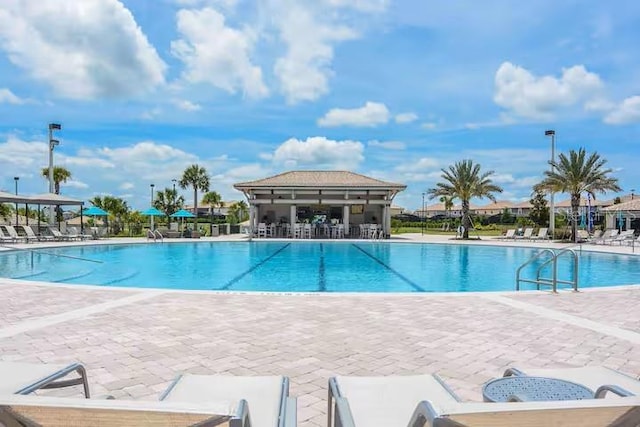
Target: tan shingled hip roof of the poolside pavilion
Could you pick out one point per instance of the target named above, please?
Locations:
(319, 179)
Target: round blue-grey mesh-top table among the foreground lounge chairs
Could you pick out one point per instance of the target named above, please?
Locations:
(533, 389)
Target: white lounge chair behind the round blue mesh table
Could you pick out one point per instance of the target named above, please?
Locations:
(598, 378)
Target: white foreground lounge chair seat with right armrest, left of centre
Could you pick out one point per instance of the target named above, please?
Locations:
(266, 398)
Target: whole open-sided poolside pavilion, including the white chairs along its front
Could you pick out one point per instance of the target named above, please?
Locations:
(320, 204)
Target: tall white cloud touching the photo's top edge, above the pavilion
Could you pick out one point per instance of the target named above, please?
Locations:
(310, 35)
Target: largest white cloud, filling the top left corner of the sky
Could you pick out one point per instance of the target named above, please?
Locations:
(83, 50)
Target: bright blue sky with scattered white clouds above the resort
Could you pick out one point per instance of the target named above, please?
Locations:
(393, 89)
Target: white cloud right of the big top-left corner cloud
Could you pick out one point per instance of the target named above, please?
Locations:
(217, 54)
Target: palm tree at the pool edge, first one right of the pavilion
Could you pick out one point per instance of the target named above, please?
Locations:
(463, 180)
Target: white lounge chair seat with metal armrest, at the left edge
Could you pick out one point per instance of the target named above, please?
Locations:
(25, 378)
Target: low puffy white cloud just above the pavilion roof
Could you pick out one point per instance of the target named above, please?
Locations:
(319, 152)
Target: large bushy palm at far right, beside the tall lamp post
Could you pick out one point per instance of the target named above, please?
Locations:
(577, 173)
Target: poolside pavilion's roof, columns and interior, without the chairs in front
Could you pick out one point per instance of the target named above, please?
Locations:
(302, 196)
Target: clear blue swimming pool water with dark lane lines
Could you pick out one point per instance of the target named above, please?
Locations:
(307, 266)
